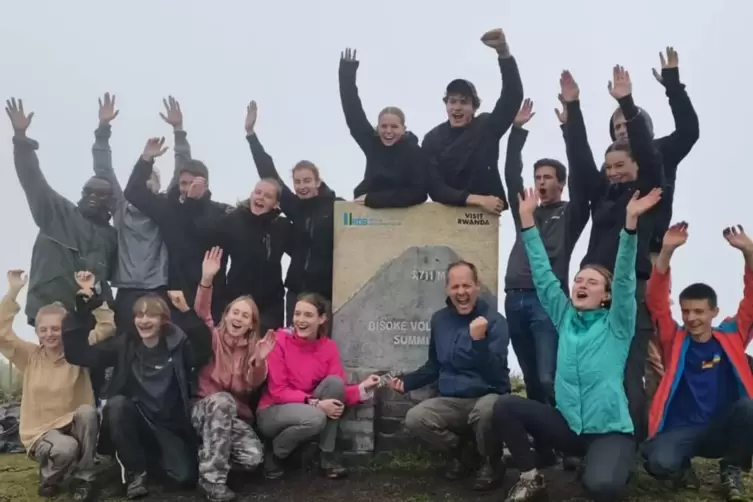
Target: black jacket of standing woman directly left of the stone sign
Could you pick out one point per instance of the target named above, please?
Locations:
(310, 269)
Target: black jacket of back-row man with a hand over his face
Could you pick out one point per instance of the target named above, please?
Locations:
(177, 223)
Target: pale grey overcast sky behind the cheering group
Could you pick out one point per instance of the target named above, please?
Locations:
(215, 57)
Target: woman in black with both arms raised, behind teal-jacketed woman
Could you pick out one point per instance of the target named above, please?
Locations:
(628, 167)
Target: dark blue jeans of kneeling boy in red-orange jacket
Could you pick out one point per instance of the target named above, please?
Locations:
(728, 437)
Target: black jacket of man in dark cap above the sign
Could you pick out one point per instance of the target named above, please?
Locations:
(465, 160)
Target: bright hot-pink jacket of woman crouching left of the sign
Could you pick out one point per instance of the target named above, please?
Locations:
(297, 365)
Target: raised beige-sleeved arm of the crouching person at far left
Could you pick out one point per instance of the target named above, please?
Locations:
(17, 351)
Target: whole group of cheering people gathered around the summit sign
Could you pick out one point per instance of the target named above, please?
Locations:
(203, 367)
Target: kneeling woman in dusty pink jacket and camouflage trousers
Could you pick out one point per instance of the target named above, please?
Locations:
(222, 416)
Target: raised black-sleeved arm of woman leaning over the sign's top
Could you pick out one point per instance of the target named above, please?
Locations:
(355, 117)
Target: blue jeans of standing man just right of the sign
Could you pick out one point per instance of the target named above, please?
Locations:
(534, 339)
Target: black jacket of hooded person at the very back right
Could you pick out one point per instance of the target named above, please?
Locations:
(673, 148)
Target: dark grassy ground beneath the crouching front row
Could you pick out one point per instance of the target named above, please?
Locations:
(403, 478)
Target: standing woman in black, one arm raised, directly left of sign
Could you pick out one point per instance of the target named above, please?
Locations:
(310, 208)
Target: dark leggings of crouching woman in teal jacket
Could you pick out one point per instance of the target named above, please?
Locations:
(609, 460)
